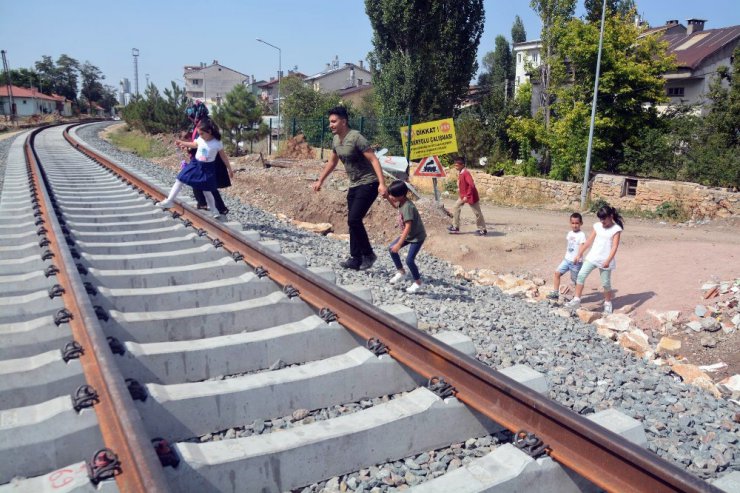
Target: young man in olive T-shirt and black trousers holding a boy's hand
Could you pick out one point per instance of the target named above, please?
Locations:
(365, 183)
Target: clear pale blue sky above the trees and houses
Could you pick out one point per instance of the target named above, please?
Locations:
(310, 33)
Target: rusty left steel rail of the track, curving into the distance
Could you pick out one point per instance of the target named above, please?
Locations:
(121, 426)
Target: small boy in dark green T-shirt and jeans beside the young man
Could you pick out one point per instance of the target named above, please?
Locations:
(412, 234)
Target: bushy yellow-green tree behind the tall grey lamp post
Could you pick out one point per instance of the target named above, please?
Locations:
(629, 88)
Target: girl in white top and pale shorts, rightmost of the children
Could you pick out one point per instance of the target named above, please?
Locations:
(604, 242)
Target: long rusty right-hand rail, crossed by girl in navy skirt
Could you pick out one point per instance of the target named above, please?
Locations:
(603, 457)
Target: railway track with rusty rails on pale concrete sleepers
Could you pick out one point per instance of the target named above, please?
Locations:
(145, 350)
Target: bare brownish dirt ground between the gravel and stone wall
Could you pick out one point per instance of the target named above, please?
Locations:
(660, 266)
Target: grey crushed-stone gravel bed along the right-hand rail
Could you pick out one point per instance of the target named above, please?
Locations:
(585, 372)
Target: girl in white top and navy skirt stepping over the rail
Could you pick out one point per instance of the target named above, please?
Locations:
(200, 172)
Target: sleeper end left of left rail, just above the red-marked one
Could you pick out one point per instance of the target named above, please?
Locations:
(37, 439)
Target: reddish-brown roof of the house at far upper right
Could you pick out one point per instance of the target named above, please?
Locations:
(692, 49)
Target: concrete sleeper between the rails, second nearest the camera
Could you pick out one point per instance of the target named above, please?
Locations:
(295, 457)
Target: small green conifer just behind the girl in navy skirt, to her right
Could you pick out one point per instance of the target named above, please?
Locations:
(240, 119)
